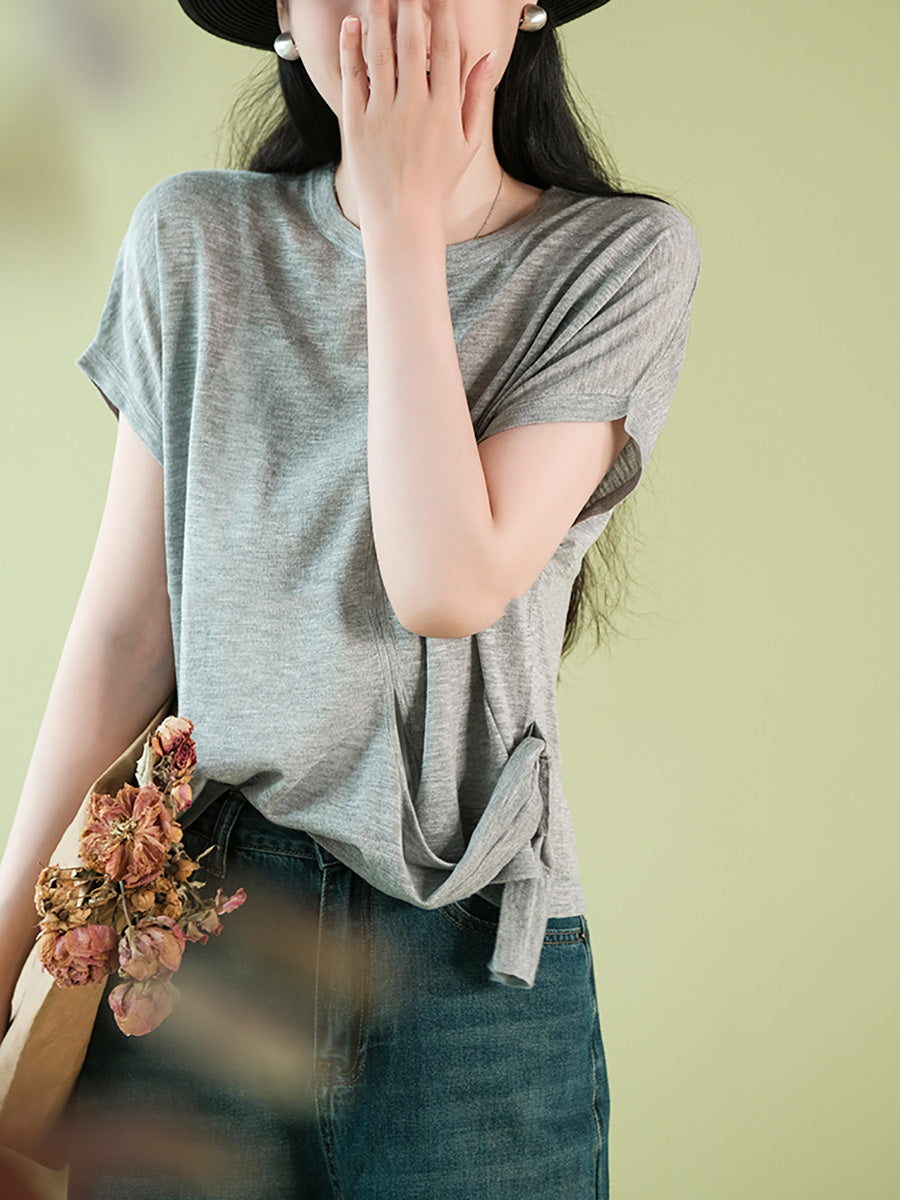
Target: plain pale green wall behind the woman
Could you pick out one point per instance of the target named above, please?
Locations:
(728, 764)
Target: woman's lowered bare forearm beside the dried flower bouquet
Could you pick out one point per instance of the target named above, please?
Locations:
(104, 694)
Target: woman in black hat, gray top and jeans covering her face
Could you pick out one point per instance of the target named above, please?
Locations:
(382, 393)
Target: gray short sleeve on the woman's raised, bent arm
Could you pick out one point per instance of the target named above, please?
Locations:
(620, 356)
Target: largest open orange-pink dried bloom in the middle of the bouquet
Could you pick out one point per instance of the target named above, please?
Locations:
(128, 837)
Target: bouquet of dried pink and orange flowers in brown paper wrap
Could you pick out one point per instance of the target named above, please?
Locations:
(133, 907)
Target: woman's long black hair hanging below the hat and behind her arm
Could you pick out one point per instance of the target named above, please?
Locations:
(283, 125)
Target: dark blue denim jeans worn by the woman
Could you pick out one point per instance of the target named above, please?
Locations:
(335, 1042)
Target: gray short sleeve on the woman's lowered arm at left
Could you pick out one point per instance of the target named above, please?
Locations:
(125, 358)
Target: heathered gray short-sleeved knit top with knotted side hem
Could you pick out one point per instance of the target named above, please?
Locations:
(235, 340)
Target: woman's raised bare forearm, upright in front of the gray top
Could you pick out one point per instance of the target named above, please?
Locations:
(431, 512)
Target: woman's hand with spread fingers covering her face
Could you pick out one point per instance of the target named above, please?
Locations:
(409, 143)
